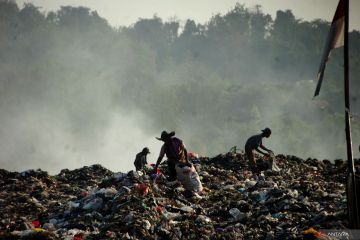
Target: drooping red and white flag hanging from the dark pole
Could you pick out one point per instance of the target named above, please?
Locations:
(334, 40)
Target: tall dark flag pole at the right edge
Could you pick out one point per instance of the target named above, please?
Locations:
(355, 221)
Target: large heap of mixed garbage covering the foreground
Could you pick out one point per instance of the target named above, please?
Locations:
(234, 203)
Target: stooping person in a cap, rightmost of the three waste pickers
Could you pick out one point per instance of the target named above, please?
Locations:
(255, 143)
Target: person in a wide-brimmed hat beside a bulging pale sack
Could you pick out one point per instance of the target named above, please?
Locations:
(175, 151)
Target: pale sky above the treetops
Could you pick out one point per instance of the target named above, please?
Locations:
(127, 12)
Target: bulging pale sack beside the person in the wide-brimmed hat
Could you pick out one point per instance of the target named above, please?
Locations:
(188, 177)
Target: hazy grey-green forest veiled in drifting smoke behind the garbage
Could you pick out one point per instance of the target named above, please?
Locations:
(74, 91)
